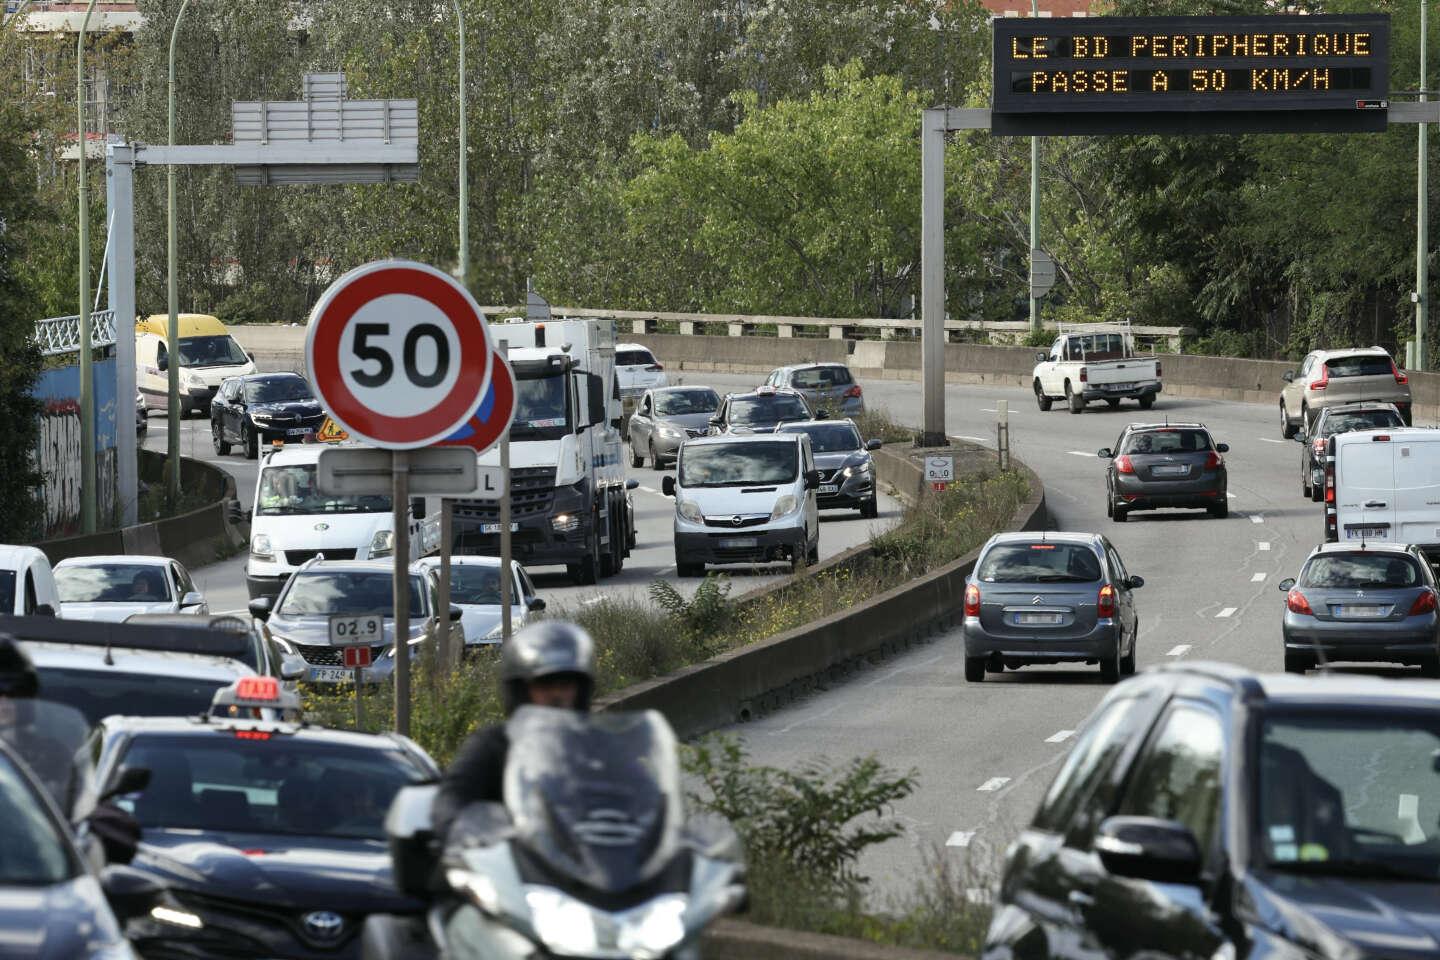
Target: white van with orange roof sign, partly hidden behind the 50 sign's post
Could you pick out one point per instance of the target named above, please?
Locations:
(293, 522)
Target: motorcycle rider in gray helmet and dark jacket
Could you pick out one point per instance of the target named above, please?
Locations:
(549, 664)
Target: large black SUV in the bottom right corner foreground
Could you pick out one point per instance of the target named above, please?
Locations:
(1212, 812)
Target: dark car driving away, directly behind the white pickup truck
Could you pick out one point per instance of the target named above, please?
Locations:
(1166, 466)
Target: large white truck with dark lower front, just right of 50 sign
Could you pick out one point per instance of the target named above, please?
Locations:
(570, 502)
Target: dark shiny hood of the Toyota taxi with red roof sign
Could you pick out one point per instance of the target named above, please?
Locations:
(345, 876)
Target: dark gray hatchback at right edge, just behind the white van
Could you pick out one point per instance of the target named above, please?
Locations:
(1373, 604)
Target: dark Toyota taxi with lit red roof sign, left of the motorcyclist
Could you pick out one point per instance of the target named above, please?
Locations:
(269, 834)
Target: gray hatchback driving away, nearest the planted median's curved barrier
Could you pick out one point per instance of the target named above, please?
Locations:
(1050, 598)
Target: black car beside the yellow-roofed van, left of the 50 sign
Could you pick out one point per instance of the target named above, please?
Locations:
(263, 408)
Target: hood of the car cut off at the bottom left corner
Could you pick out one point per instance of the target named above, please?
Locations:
(60, 922)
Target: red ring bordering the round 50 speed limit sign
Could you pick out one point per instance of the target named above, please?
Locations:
(329, 326)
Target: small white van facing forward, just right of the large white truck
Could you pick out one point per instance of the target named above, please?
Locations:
(745, 499)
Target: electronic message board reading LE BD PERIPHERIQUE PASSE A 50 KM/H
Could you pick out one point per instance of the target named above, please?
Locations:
(1120, 76)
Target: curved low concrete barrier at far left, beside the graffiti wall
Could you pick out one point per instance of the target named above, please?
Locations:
(195, 538)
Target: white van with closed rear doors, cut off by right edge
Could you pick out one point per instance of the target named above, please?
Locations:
(1385, 486)
